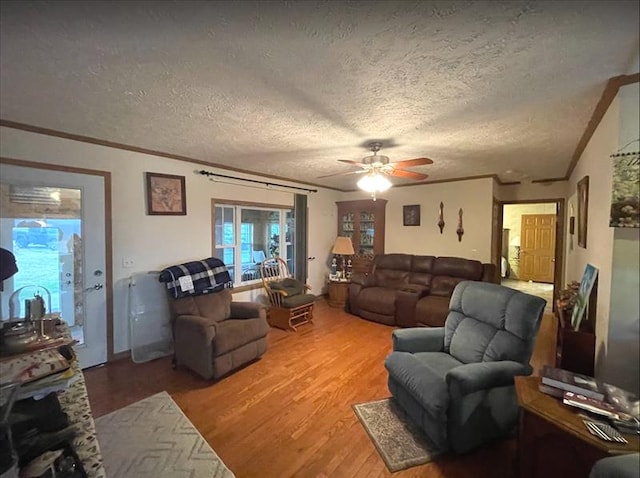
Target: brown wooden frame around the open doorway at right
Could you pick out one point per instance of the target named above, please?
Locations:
(560, 232)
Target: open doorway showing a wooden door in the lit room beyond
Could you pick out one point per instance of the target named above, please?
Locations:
(531, 247)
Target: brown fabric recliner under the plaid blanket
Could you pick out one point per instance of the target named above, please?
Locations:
(214, 335)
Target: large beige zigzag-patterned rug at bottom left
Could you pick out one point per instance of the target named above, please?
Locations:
(152, 438)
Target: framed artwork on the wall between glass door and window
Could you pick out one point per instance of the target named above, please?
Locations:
(166, 195)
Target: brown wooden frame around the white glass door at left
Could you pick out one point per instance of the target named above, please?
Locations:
(106, 175)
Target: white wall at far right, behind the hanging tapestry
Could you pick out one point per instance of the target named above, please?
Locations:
(613, 252)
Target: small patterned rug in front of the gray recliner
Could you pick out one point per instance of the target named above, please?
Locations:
(400, 443)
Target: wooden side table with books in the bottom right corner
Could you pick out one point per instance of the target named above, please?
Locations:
(553, 441)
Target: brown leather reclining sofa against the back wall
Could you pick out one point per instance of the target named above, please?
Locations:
(409, 290)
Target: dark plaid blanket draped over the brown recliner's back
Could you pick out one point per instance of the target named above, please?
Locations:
(196, 278)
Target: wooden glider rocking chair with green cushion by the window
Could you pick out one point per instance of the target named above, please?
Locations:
(291, 306)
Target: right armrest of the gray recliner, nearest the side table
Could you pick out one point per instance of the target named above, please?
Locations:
(472, 377)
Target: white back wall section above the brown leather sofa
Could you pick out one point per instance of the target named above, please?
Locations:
(475, 197)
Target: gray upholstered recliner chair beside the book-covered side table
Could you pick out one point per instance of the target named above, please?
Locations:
(456, 382)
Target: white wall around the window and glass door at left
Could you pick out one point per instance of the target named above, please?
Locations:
(154, 242)
